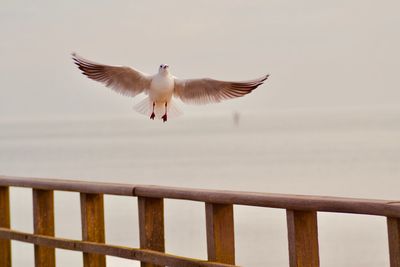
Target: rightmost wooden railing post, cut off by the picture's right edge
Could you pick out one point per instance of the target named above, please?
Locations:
(393, 225)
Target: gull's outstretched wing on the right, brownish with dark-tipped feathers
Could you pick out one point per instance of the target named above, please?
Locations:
(202, 91)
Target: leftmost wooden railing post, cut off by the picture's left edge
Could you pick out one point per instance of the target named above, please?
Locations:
(5, 245)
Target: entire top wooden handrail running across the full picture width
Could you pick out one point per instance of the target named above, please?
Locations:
(282, 201)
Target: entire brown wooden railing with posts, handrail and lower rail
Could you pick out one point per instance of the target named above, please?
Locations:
(301, 222)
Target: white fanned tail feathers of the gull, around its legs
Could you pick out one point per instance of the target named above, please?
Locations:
(145, 107)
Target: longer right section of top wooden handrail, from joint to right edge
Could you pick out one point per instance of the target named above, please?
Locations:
(281, 201)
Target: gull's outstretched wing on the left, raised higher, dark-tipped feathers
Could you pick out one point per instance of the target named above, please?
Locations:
(124, 80)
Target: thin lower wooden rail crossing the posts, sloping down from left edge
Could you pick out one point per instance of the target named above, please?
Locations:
(103, 249)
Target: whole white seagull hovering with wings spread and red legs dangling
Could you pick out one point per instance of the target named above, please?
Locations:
(161, 87)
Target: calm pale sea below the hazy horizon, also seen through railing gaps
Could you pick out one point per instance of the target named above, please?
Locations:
(352, 153)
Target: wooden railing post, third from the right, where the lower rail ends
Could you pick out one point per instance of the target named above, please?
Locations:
(220, 233)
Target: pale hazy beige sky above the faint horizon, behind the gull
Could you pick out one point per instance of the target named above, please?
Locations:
(320, 54)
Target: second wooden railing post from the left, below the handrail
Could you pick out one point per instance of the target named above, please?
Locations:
(43, 224)
